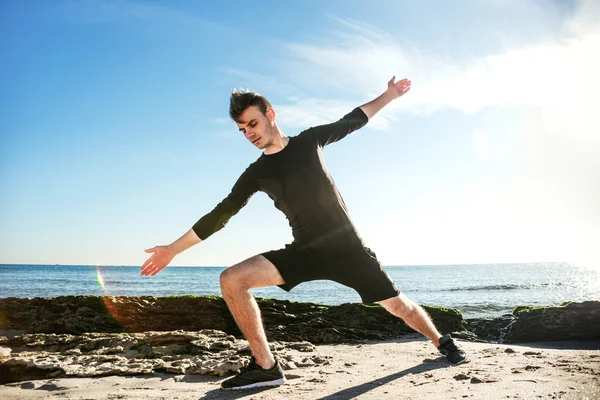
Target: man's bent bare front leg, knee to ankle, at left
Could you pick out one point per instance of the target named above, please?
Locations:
(236, 283)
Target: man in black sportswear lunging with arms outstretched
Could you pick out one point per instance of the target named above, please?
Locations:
(326, 244)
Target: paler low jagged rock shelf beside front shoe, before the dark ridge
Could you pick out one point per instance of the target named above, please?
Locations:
(208, 352)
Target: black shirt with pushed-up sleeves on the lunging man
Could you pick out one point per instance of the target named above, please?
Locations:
(298, 182)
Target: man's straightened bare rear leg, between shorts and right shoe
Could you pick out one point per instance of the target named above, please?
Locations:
(414, 315)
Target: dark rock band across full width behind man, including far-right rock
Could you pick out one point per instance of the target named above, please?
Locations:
(288, 321)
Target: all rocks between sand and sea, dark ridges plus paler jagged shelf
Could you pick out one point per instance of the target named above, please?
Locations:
(82, 336)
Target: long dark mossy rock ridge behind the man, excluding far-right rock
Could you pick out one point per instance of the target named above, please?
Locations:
(283, 320)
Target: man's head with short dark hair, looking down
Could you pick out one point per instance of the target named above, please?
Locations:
(254, 117)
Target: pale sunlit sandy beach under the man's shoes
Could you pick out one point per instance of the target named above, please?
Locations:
(408, 368)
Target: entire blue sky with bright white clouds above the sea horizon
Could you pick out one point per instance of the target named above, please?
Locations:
(116, 137)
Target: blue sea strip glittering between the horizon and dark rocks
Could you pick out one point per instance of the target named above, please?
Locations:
(487, 290)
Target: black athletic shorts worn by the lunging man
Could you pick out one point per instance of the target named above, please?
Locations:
(356, 267)
